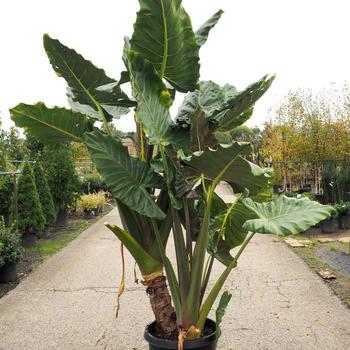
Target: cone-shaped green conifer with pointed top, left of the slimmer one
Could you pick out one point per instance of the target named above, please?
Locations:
(31, 218)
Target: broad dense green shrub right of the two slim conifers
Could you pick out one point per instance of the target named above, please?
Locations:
(61, 175)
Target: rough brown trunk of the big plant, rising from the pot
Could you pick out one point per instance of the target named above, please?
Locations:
(160, 299)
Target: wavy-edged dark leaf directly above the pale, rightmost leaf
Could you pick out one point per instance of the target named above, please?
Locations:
(236, 170)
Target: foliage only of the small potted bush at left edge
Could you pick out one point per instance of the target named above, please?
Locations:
(10, 247)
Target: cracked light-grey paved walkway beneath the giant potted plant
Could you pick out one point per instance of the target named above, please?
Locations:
(68, 302)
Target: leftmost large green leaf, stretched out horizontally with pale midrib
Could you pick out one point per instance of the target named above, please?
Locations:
(51, 125)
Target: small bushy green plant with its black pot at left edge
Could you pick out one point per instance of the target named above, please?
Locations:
(10, 252)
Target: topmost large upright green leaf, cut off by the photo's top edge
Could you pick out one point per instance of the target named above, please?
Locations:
(163, 35)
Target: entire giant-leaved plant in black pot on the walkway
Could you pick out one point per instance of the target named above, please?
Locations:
(171, 183)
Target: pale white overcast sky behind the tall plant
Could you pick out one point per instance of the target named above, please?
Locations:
(304, 42)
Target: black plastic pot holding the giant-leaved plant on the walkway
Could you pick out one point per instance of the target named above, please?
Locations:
(207, 342)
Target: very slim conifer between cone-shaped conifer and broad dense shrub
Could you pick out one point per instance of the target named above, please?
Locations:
(45, 196)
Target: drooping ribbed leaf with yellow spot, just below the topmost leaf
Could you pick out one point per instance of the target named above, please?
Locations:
(152, 97)
